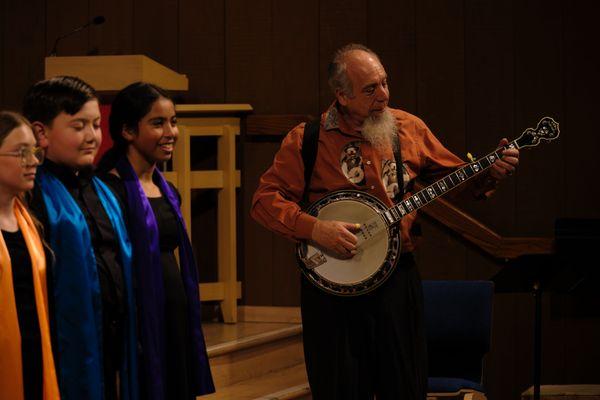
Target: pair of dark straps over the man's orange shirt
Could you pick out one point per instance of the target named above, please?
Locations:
(310, 148)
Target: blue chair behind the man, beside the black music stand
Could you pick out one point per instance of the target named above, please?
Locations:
(458, 318)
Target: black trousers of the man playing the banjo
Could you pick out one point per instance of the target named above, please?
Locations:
(371, 345)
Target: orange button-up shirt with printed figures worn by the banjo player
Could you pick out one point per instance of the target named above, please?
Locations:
(347, 161)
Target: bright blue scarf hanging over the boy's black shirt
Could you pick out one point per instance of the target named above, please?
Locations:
(77, 299)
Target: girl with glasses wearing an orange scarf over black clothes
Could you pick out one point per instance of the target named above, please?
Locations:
(27, 365)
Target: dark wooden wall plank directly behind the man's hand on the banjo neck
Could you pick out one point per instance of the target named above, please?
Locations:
(489, 116)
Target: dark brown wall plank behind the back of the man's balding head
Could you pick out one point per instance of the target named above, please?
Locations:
(340, 23)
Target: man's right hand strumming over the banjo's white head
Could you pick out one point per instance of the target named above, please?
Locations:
(336, 236)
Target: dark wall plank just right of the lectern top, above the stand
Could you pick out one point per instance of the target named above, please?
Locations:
(202, 49)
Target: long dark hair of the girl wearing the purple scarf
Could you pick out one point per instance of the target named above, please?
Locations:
(128, 108)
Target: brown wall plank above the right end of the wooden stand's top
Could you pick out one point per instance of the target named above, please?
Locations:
(249, 57)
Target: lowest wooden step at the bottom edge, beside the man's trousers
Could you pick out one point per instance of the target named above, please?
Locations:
(285, 384)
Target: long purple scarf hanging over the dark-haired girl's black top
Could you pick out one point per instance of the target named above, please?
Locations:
(150, 287)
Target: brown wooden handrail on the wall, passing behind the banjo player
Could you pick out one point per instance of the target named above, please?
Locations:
(441, 210)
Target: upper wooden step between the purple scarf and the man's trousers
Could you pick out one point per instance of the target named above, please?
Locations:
(247, 351)
